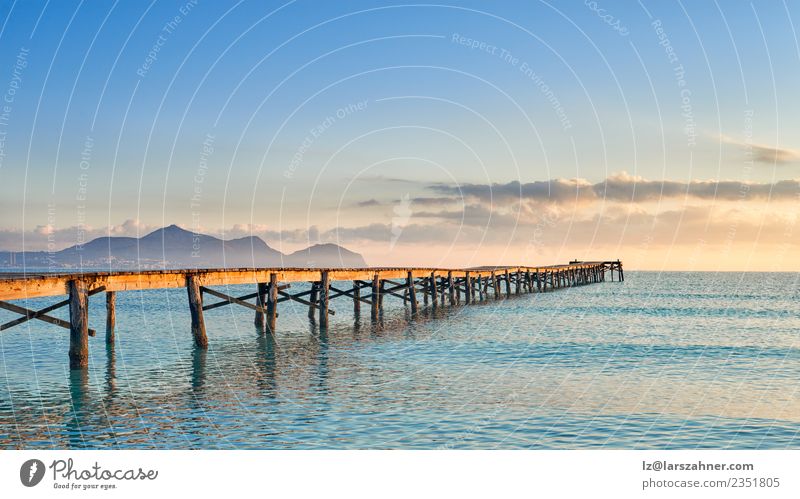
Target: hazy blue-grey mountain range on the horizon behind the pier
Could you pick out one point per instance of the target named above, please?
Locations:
(174, 247)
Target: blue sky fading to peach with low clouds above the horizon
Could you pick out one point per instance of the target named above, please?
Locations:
(451, 134)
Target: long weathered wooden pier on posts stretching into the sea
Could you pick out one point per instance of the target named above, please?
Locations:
(367, 286)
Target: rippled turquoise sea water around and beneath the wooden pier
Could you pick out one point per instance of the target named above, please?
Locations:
(670, 360)
